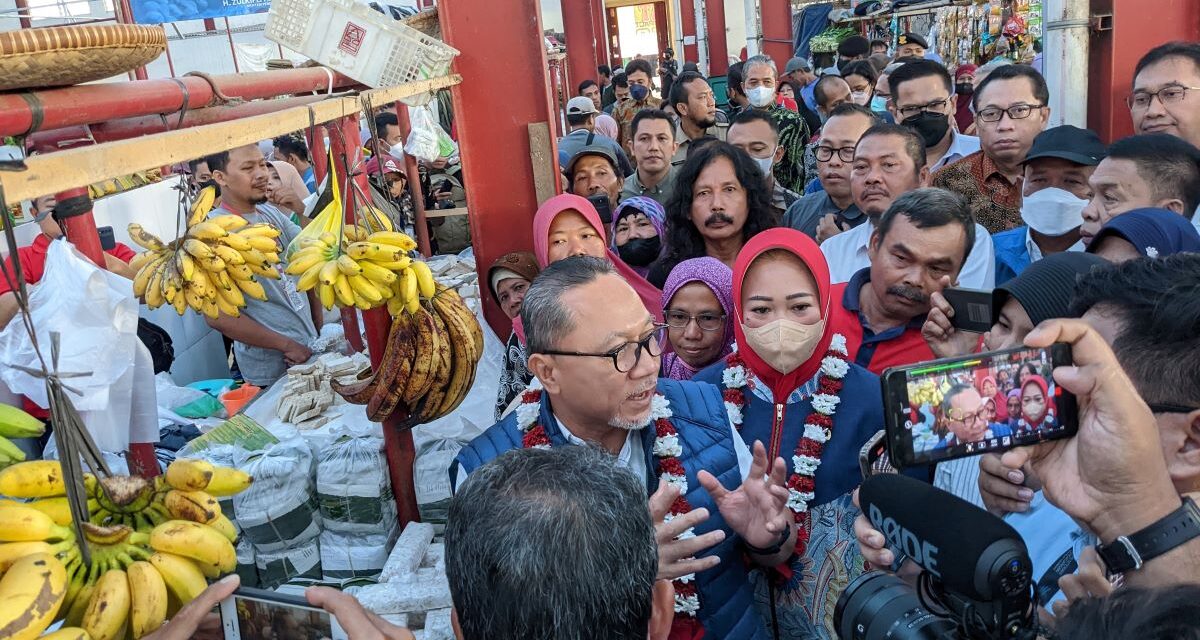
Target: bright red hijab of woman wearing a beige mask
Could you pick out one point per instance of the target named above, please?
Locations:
(783, 385)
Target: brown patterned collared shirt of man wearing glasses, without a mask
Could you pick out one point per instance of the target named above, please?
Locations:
(995, 201)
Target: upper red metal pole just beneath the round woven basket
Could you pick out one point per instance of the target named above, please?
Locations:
(91, 104)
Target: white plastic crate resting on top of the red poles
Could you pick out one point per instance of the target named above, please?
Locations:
(358, 41)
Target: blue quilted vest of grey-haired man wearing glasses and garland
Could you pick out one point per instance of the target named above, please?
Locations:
(727, 596)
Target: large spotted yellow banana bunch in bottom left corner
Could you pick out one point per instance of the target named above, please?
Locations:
(145, 564)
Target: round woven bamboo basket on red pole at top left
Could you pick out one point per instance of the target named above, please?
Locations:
(65, 56)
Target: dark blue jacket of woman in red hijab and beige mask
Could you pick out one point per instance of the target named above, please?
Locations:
(859, 417)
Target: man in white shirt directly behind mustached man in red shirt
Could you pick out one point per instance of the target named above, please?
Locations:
(890, 162)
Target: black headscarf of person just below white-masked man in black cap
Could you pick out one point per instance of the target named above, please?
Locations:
(1046, 289)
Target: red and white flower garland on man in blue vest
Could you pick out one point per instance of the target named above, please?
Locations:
(668, 451)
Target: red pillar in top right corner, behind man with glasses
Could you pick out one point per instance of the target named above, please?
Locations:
(1115, 53)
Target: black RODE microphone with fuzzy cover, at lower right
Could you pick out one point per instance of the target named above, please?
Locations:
(971, 552)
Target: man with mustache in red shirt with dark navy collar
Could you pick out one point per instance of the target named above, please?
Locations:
(917, 249)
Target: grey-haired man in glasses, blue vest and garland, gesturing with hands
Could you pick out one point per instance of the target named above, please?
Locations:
(596, 351)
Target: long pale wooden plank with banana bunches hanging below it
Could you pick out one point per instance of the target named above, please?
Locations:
(61, 171)
